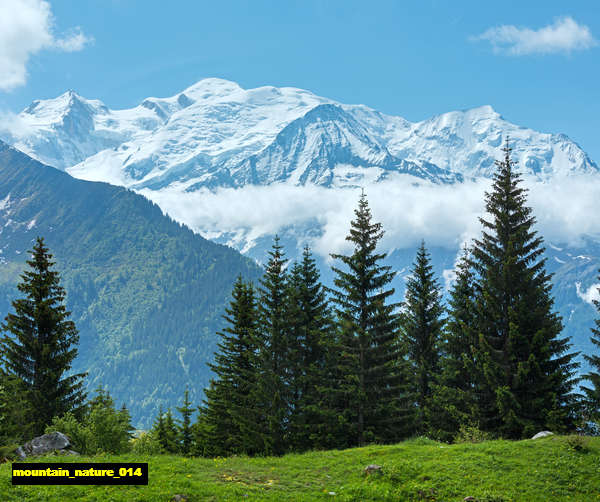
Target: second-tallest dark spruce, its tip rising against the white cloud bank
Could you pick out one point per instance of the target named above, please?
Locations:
(370, 381)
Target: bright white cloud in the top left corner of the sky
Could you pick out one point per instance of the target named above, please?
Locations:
(26, 28)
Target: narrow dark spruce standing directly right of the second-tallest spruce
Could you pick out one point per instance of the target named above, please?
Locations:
(421, 324)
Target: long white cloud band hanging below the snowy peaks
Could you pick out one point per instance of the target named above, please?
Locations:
(443, 215)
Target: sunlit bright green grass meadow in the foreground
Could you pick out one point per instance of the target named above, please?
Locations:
(543, 470)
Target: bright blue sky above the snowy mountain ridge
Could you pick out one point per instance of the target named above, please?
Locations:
(414, 59)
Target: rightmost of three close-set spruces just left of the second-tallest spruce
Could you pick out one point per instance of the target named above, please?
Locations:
(311, 330)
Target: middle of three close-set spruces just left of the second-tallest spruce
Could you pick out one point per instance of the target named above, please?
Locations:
(273, 389)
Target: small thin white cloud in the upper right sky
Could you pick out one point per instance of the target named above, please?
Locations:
(564, 35)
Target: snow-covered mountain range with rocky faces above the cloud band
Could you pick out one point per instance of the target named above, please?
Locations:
(216, 134)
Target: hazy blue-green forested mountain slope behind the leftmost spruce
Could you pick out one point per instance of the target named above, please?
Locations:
(146, 293)
